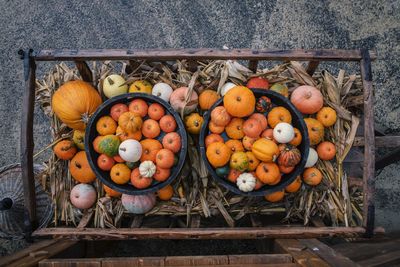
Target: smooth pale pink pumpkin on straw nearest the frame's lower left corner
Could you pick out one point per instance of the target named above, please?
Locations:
(83, 196)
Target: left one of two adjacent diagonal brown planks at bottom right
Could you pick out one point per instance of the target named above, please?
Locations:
(300, 253)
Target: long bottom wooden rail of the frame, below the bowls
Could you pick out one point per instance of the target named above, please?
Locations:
(203, 233)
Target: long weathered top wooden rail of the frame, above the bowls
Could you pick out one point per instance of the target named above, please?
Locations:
(200, 54)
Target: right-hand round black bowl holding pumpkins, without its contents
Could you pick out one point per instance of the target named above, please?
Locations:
(297, 121)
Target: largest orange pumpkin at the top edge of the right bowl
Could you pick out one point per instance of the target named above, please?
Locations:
(240, 102)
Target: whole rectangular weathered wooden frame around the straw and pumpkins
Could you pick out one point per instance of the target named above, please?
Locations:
(364, 58)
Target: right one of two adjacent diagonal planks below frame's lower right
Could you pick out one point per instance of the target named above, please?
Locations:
(328, 254)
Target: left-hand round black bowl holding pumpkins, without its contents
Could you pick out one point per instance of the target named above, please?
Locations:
(91, 133)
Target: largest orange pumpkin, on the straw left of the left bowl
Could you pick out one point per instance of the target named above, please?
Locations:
(74, 102)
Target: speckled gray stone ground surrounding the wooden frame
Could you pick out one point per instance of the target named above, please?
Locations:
(238, 24)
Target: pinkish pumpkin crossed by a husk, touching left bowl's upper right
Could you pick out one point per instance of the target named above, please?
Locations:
(178, 100)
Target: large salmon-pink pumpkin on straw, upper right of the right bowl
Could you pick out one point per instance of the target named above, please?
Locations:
(307, 99)
